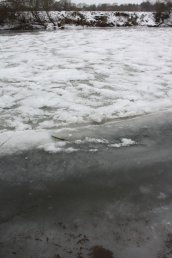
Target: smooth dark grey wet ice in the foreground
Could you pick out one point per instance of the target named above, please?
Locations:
(111, 203)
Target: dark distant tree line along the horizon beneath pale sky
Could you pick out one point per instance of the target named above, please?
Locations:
(67, 5)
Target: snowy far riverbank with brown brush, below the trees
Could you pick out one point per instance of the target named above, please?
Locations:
(28, 21)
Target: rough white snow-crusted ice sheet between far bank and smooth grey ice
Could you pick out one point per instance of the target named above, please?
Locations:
(49, 80)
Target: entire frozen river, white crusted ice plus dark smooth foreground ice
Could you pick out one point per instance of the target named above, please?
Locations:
(90, 197)
